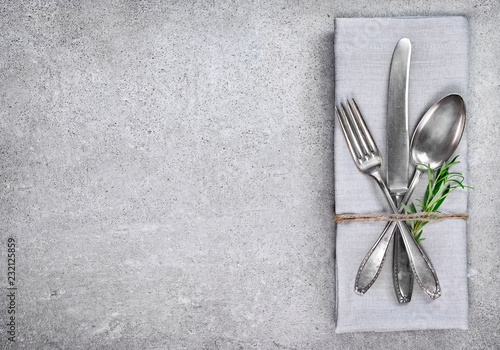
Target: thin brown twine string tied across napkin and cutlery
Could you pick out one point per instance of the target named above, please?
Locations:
(426, 216)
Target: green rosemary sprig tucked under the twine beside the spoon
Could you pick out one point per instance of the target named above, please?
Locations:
(441, 183)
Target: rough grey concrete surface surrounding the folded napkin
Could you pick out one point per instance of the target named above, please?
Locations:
(166, 170)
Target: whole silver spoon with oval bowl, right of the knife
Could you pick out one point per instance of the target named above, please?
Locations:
(434, 141)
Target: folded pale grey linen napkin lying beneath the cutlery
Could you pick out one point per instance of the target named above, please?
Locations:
(439, 66)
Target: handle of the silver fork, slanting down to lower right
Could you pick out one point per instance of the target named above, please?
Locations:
(422, 267)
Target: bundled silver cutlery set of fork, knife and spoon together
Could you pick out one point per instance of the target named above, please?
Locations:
(434, 141)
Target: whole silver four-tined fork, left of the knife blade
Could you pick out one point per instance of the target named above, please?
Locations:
(368, 160)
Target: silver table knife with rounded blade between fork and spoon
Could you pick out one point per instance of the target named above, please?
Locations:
(398, 158)
